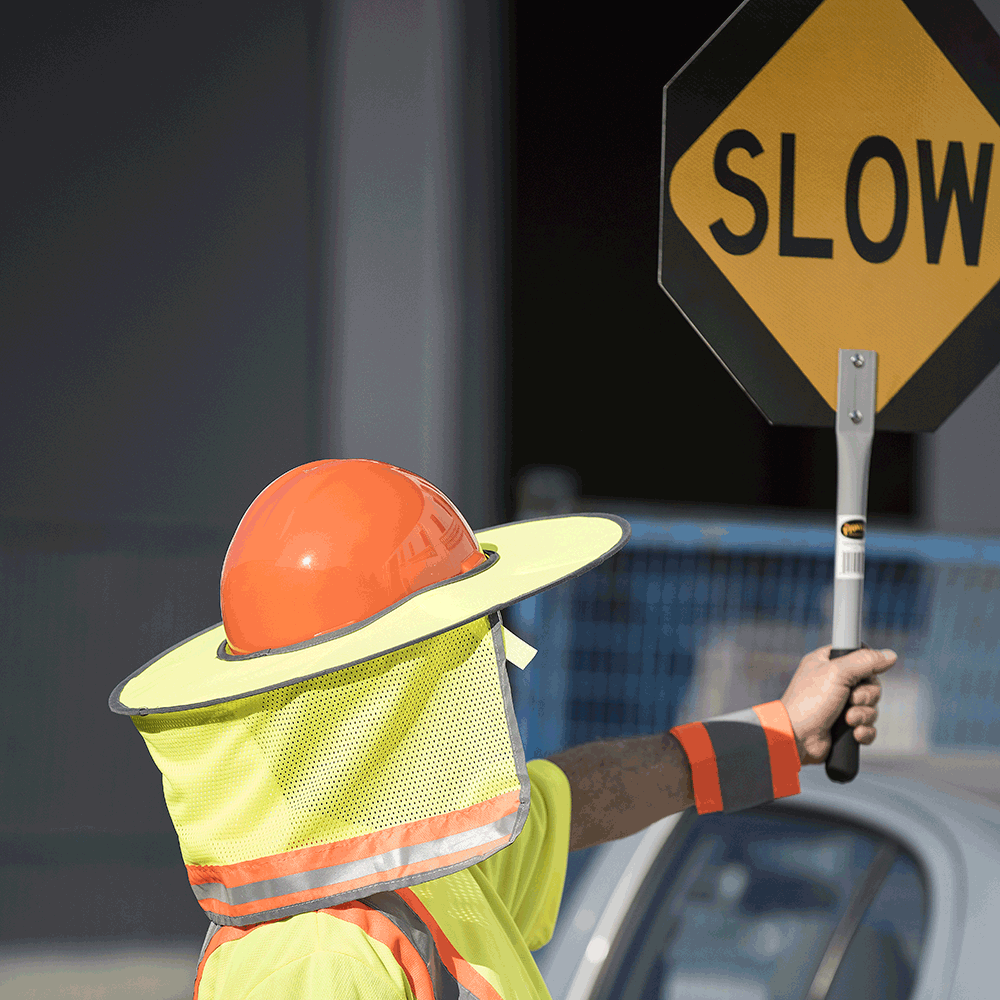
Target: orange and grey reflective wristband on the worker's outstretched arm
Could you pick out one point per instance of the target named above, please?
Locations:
(742, 759)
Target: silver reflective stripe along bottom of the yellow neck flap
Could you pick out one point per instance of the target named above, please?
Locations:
(336, 875)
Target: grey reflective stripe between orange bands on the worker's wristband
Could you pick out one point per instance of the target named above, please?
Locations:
(742, 758)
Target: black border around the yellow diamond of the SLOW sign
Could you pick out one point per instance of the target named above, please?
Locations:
(692, 100)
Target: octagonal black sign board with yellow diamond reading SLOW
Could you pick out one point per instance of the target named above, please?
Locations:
(829, 181)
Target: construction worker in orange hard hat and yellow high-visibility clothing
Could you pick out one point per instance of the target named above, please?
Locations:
(342, 763)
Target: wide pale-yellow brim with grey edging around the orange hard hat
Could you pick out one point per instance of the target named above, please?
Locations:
(525, 557)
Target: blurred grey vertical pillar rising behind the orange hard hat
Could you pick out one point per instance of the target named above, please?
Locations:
(413, 266)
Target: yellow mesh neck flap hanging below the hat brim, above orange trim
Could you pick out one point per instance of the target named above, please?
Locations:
(405, 737)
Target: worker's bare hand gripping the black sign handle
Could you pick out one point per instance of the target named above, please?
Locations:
(820, 689)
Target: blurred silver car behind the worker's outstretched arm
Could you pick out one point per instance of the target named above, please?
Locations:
(887, 888)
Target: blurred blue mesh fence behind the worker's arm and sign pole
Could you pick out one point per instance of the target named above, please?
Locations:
(696, 617)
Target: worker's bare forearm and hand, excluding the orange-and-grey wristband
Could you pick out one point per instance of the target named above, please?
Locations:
(621, 786)
